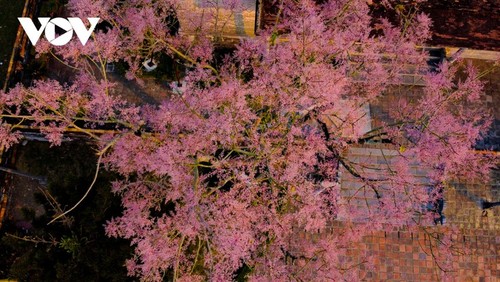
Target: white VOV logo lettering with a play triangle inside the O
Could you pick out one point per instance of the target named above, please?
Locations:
(49, 25)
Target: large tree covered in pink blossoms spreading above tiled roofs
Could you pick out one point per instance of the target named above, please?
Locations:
(230, 172)
